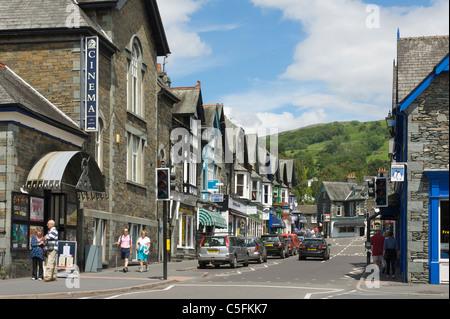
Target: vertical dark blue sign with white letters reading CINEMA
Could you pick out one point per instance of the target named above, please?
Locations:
(91, 89)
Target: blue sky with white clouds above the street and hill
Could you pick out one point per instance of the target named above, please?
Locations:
(286, 64)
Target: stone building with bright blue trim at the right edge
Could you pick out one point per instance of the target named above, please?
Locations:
(421, 140)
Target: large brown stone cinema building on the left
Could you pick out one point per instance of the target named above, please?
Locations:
(44, 44)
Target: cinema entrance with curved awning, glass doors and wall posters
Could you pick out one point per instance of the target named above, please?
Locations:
(53, 190)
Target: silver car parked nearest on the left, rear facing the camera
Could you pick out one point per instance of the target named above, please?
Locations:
(222, 249)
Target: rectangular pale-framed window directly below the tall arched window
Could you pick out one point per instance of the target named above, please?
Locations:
(135, 158)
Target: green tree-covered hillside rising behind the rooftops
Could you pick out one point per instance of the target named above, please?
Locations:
(329, 152)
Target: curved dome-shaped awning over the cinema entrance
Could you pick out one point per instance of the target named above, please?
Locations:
(73, 168)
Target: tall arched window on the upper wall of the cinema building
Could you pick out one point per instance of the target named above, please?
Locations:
(135, 79)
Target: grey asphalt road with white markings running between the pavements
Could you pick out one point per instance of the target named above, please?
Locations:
(288, 278)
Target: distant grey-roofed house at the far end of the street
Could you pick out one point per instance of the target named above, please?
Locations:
(341, 208)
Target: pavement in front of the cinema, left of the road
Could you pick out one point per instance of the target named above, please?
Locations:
(107, 281)
